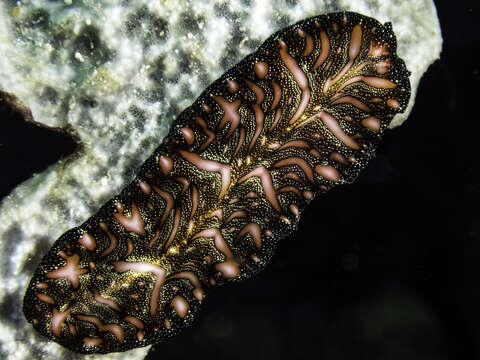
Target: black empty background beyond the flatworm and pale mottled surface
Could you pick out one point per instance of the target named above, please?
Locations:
(386, 268)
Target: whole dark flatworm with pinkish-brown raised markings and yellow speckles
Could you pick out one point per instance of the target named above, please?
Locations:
(302, 114)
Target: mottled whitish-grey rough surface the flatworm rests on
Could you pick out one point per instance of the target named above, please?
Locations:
(115, 103)
